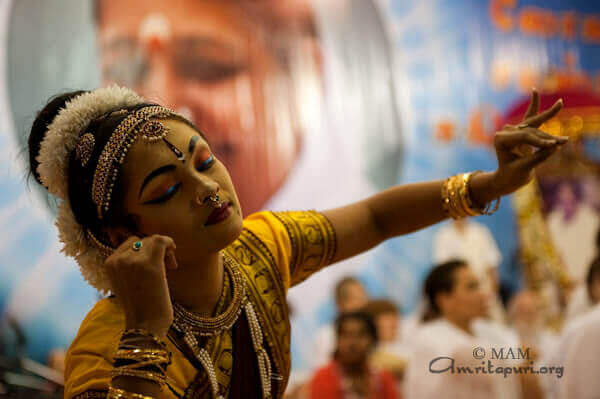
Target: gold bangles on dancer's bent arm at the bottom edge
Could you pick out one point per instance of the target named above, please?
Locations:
(141, 355)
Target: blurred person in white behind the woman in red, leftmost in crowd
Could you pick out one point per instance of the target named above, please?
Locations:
(350, 296)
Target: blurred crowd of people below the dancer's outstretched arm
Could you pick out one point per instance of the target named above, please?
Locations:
(464, 340)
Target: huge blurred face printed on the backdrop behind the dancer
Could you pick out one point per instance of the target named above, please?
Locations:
(206, 60)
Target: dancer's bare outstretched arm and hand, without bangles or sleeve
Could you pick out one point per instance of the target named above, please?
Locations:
(407, 208)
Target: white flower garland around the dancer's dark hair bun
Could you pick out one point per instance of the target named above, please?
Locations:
(59, 141)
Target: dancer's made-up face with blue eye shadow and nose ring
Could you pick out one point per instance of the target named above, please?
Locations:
(166, 196)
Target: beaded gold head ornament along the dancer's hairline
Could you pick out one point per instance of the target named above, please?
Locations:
(139, 123)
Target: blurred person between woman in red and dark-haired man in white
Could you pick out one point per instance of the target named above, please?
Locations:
(391, 353)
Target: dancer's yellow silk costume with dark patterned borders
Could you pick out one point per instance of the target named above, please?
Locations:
(275, 251)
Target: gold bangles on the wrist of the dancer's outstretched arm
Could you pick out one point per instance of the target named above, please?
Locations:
(456, 198)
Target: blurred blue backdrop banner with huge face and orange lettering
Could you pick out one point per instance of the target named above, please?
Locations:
(310, 105)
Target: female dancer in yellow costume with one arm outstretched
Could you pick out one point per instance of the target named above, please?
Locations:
(198, 293)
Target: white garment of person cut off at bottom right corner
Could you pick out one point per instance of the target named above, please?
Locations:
(578, 353)
